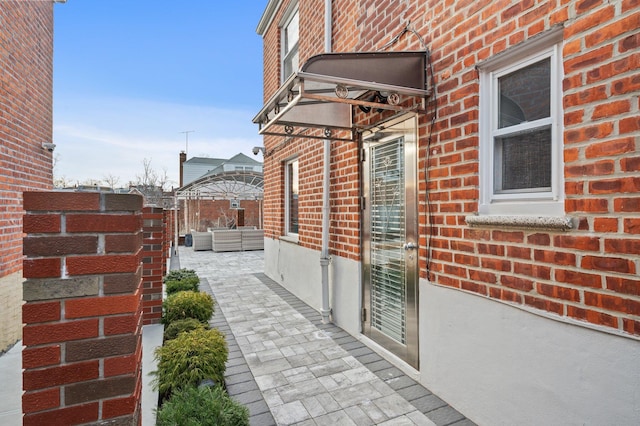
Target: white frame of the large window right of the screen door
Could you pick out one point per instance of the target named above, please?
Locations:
(528, 203)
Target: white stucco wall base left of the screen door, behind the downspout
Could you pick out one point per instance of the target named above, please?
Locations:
(298, 270)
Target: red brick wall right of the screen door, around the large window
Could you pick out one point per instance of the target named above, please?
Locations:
(589, 274)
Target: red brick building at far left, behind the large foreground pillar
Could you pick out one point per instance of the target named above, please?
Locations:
(26, 67)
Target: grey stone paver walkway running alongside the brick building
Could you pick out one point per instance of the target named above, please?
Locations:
(290, 369)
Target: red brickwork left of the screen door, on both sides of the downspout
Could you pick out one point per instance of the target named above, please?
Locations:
(345, 217)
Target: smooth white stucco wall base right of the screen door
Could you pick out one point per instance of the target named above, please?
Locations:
(500, 365)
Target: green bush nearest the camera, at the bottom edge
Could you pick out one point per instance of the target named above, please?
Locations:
(202, 406)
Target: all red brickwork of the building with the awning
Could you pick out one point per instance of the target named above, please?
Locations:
(587, 274)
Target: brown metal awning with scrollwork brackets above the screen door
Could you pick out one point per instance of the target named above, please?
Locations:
(322, 93)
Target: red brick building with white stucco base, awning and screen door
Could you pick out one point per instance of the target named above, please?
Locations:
(458, 184)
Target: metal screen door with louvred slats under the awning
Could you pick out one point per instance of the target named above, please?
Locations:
(390, 241)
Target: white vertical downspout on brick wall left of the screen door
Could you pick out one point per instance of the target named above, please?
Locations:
(326, 185)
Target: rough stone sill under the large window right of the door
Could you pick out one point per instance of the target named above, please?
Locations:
(549, 223)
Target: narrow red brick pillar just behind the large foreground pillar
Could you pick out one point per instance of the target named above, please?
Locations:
(153, 260)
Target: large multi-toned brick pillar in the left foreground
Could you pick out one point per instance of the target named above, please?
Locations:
(82, 312)
